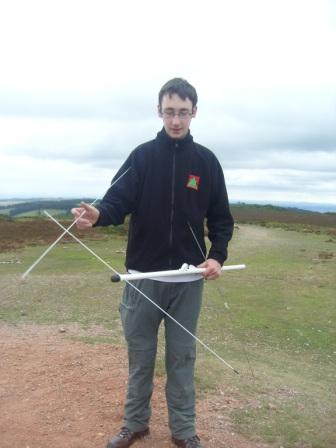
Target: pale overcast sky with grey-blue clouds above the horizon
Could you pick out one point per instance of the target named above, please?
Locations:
(79, 83)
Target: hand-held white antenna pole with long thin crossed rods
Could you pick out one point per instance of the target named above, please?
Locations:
(185, 270)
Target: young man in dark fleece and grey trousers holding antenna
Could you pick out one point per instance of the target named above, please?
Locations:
(170, 185)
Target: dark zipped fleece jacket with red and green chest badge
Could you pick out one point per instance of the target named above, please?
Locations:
(170, 188)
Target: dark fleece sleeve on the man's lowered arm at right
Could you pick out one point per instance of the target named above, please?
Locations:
(219, 219)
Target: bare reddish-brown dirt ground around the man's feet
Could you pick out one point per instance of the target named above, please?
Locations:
(66, 394)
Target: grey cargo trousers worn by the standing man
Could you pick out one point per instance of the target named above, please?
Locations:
(141, 320)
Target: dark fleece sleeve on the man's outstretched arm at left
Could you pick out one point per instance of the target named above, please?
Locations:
(120, 198)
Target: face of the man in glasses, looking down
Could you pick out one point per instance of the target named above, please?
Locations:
(176, 114)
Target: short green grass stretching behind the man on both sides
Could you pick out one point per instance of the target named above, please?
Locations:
(274, 322)
